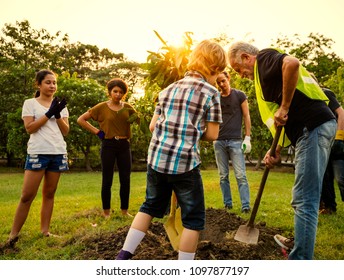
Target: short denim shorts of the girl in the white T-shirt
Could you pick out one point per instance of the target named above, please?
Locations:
(55, 163)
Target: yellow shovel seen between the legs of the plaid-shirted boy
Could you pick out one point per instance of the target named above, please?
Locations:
(173, 225)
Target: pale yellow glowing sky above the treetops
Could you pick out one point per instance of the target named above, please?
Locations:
(127, 26)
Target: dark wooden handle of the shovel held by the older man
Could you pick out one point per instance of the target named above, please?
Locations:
(264, 178)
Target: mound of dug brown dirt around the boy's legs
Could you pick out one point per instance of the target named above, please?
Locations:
(216, 242)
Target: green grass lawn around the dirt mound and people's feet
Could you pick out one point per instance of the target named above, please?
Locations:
(77, 212)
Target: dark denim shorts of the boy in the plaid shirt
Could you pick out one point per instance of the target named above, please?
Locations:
(189, 191)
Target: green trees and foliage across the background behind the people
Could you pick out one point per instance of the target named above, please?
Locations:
(24, 50)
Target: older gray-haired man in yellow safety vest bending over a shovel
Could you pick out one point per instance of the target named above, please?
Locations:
(288, 96)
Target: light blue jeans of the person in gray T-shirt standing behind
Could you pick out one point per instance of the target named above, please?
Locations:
(226, 150)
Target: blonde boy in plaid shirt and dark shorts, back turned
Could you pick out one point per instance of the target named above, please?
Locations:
(187, 111)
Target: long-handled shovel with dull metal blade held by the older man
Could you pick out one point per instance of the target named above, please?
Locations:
(247, 233)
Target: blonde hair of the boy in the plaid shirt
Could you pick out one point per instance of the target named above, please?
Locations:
(208, 58)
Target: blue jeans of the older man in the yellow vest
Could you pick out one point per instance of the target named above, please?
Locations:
(312, 152)
